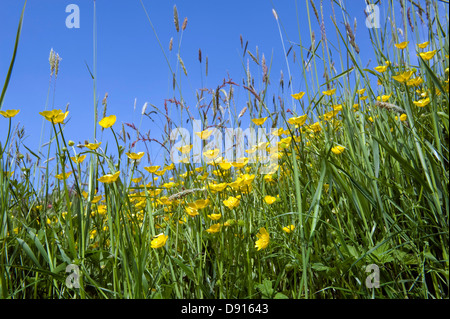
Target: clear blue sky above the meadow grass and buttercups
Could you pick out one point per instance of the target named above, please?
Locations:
(130, 63)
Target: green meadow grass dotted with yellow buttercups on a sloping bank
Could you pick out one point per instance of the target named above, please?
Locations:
(360, 181)
